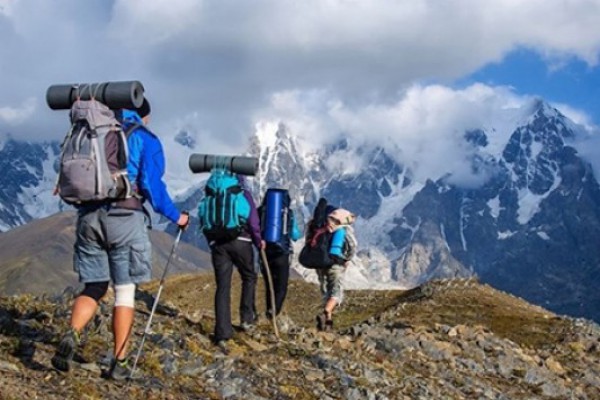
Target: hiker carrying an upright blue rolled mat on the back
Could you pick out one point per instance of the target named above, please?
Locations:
(279, 229)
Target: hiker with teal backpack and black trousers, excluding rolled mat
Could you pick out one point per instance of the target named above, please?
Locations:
(229, 220)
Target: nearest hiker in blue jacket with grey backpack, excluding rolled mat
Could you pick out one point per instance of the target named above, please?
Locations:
(112, 238)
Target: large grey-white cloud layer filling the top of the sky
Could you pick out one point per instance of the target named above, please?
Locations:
(225, 60)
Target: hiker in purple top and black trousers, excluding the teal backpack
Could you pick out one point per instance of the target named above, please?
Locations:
(238, 252)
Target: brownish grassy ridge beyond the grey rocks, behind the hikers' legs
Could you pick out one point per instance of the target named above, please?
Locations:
(481, 305)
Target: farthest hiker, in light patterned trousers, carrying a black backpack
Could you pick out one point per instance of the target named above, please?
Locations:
(330, 244)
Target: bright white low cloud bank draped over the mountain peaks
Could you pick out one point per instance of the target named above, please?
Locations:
(423, 129)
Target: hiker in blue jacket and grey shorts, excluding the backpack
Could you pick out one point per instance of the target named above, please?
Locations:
(113, 244)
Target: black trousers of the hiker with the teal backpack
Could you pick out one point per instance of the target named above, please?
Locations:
(224, 256)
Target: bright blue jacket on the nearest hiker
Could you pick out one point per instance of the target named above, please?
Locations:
(146, 166)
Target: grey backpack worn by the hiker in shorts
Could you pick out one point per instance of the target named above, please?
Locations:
(93, 165)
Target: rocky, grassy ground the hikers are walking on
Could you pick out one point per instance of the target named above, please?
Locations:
(447, 340)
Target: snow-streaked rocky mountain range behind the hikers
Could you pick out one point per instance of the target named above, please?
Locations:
(524, 216)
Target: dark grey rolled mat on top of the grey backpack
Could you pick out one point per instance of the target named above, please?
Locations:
(115, 95)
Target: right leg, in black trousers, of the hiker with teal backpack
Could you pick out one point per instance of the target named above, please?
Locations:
(242, 254)
